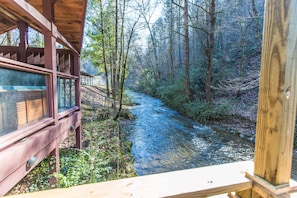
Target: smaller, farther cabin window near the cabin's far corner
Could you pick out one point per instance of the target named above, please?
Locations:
(66, 94)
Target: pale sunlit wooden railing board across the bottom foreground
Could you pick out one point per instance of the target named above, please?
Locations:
(199, 182)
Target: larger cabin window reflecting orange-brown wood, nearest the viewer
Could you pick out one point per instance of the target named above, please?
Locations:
(22, 99)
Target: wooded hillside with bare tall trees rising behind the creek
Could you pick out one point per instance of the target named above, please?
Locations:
(200, 57)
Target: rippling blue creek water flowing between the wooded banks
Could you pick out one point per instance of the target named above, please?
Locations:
(165, 141)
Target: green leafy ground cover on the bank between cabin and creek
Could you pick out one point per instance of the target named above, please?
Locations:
(107, 155)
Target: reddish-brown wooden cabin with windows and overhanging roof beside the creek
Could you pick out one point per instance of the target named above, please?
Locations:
(37, 115)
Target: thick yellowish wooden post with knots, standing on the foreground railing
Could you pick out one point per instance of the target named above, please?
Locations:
(277, 98)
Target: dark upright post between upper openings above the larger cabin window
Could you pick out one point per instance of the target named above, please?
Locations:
(23, 45)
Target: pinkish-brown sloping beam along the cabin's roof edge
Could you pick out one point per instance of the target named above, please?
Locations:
(27, 13)
